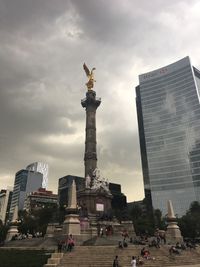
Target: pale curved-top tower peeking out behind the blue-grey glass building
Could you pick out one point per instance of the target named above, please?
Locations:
(42, 168)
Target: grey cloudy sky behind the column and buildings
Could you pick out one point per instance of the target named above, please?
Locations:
(43, 45)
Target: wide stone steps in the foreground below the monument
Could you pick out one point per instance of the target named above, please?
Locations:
(96, 256)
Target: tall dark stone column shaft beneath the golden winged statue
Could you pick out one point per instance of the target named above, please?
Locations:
(90, 103)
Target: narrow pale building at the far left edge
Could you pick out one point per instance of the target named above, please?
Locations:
(5, 201)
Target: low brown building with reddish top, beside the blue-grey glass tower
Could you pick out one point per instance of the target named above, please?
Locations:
(40, 199)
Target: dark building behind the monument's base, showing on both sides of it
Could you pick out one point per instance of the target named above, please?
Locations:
(118, 201)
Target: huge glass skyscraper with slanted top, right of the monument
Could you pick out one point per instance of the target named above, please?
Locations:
(168, 111)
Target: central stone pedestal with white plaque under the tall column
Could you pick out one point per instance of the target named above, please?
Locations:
(96, 204)
